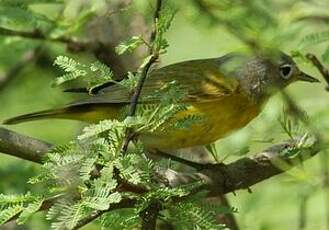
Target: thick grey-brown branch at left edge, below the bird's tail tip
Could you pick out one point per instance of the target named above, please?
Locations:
(21, 146)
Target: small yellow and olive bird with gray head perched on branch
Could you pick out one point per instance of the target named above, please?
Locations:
(228, 92)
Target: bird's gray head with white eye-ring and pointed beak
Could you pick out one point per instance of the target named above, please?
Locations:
(262, 76)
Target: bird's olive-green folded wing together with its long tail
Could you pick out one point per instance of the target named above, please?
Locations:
(198, 80)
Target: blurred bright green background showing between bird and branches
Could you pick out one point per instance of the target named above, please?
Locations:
(273, 204)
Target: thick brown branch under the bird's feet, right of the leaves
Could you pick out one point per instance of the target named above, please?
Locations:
(245, 172)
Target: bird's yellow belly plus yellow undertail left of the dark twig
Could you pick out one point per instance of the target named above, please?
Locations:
(218, 119)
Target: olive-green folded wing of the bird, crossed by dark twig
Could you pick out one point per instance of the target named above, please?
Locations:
(197, 80)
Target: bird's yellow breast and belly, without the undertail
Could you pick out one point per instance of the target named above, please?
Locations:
(219, 118)
